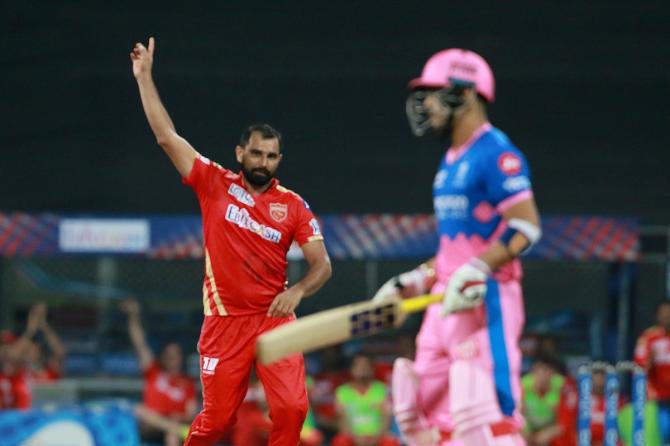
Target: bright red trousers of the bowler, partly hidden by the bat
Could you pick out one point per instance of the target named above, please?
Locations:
(226, 347)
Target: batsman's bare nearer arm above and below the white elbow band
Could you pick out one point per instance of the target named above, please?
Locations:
(499, 252)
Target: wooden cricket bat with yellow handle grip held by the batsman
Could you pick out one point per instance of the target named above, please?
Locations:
(337, 325)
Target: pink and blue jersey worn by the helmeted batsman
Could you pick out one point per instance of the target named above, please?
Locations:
(474, 185)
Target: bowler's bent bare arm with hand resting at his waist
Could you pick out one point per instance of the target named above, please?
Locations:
(318, 273)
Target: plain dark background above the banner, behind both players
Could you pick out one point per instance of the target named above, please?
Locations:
(582, 90)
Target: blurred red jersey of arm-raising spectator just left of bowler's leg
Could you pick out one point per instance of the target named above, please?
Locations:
(167, 394)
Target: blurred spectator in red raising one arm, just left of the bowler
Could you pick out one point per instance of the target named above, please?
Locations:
(169, 395)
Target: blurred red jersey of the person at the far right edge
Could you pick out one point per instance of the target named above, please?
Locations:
(654, 345)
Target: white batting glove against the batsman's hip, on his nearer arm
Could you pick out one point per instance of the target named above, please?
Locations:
(466, 287)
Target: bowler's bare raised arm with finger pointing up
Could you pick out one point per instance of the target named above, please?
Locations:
(177, 148)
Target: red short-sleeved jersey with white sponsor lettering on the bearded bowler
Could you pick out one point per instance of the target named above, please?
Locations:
(246, 238)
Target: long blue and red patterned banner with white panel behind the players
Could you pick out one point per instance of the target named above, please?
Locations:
(362, 236)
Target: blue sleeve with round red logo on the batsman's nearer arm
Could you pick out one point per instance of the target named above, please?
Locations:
(507, 178)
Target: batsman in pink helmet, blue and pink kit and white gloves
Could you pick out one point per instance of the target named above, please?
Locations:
(464, 385)
